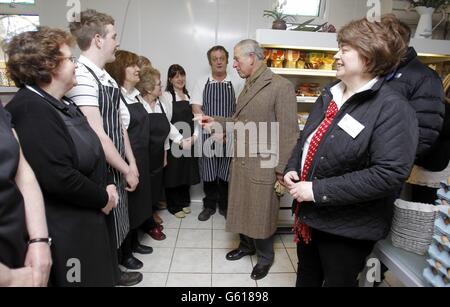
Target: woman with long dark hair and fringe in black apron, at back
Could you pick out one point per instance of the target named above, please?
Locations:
(181, 171)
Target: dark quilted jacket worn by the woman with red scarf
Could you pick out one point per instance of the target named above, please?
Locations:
(355, 180)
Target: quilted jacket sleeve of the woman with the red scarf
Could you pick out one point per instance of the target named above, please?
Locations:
(392, 149)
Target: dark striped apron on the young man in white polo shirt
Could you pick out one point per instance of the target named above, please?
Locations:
(109, 106)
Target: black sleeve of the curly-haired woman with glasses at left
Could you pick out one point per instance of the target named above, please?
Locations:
(49, 150)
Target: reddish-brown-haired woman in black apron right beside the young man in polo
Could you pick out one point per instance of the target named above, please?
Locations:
(135, 119)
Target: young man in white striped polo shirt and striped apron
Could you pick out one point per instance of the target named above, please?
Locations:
(97, 95)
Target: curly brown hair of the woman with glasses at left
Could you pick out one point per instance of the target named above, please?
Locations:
(35, 55)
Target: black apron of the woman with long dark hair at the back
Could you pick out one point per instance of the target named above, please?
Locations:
(182, 170)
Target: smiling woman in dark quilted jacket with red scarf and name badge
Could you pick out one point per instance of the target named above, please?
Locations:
(352, 158)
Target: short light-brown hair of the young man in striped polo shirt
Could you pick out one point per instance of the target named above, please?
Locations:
(91, 23)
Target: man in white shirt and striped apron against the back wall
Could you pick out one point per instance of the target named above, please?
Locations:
(215, 95)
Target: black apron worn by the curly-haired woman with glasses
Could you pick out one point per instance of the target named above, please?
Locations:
(81, 233)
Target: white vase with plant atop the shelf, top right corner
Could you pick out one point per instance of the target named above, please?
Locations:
(426, 8)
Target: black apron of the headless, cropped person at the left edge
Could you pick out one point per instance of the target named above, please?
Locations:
(13, 233)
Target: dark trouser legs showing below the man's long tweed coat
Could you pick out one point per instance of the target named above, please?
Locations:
(263, 247)
